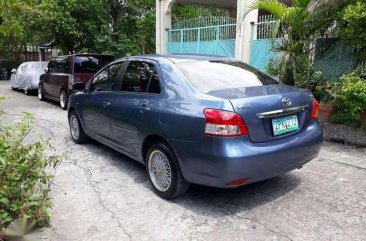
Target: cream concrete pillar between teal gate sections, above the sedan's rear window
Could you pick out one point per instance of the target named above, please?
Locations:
(243, 43)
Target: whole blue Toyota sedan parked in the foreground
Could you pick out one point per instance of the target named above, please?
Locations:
(197, 119)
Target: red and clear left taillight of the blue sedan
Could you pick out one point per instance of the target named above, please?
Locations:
(224, 123)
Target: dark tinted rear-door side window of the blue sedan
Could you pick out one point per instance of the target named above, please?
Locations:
(141, 77)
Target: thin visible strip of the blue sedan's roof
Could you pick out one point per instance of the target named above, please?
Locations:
(182, 58)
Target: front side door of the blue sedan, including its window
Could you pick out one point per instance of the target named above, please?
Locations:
(96, 105)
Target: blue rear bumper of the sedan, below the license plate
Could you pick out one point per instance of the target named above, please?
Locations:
(218, 161)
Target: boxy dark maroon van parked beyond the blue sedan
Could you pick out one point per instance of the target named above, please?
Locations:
(62, 72)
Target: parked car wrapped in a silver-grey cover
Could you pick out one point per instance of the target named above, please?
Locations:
(26, 77)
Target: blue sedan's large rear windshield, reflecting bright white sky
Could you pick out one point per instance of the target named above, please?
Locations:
(208, 76)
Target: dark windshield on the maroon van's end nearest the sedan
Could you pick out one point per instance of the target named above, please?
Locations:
(90, 64)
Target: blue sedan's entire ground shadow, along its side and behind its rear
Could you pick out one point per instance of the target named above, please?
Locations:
(208, 201)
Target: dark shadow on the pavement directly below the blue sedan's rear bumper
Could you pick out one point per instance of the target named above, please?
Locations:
(218, 202)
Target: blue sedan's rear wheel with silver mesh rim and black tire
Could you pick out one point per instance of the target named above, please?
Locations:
(165, 163)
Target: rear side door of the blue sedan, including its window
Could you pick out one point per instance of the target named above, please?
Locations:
(135, 109)
